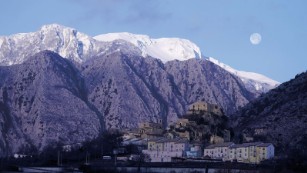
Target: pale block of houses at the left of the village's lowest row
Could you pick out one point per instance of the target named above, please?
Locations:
(163, 150)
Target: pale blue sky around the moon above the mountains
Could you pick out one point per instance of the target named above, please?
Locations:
(221, 28)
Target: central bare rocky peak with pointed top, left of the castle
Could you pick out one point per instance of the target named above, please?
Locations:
(130, 89)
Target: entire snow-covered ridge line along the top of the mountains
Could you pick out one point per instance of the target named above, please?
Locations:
(79, 47)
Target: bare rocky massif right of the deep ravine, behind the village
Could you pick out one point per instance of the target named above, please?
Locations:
(129, 89)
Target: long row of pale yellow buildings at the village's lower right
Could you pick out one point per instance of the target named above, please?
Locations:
(246, 152)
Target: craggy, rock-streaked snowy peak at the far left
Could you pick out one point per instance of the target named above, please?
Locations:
(68, 42)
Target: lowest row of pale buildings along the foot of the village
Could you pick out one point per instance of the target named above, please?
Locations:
(168, 150)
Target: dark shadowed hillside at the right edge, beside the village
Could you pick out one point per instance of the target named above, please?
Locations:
(279, 116)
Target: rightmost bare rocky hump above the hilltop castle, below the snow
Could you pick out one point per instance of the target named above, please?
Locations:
(201, 80)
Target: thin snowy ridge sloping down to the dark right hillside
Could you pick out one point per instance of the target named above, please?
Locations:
(252, 81)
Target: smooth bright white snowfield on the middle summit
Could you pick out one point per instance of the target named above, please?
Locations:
(166, 49)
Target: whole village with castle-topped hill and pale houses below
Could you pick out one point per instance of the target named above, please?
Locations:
(200, 134)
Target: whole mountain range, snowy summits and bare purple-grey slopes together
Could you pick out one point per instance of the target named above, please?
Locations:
(61, 86)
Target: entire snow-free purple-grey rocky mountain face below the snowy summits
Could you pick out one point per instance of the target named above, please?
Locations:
(48, 99)
